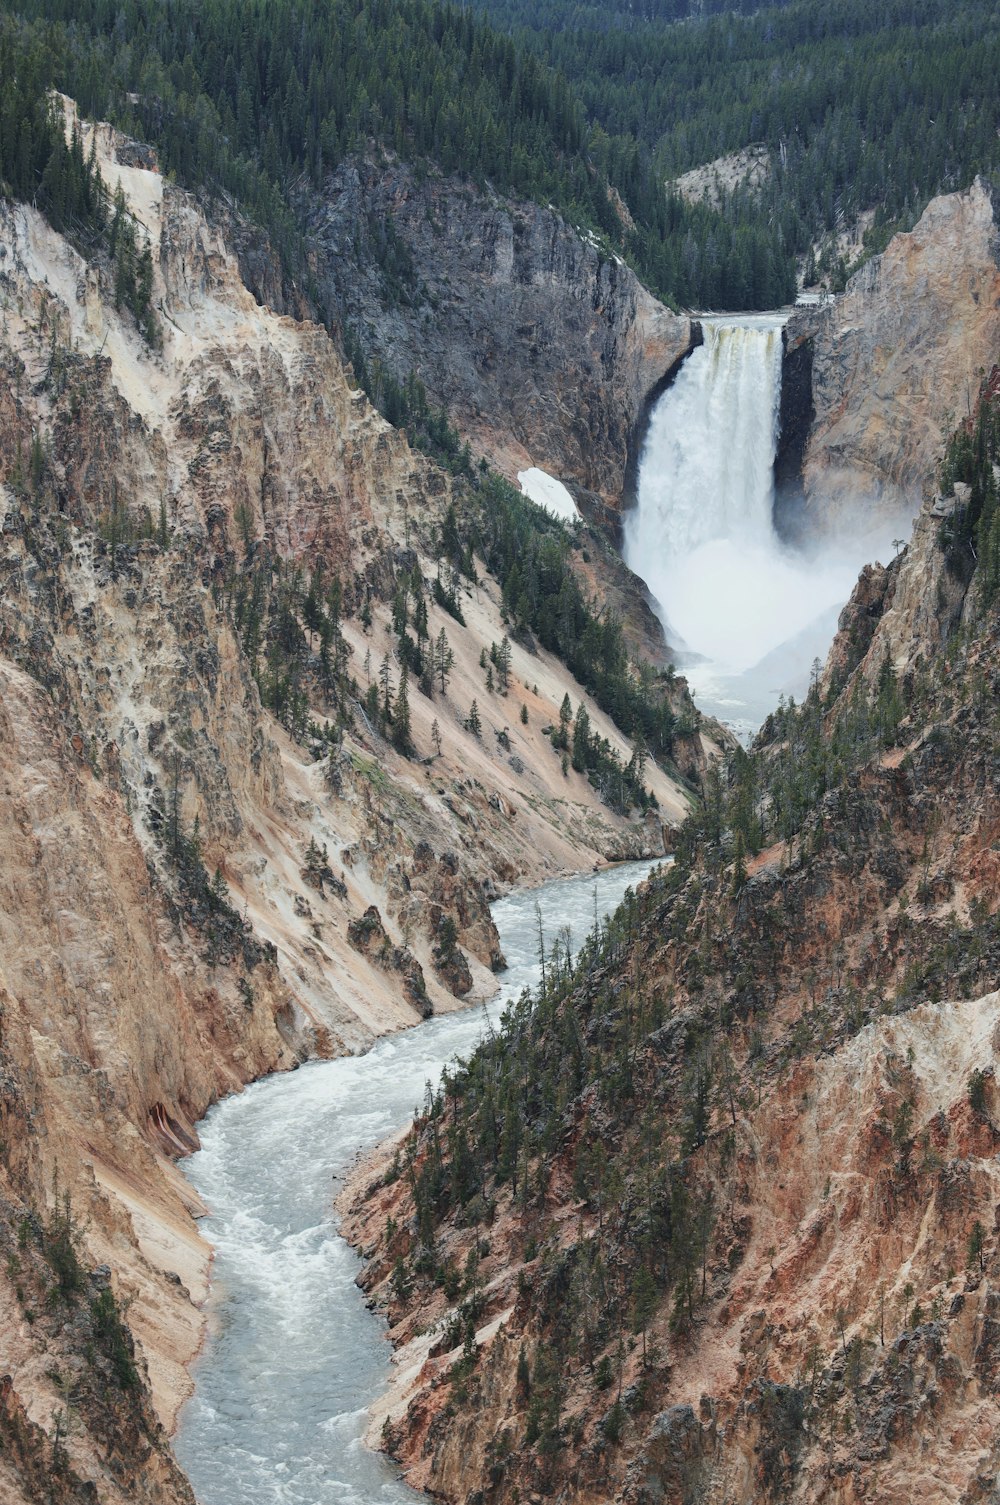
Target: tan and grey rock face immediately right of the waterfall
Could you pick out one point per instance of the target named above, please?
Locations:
(897, 360)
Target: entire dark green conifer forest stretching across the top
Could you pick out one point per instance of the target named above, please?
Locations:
(861, 109)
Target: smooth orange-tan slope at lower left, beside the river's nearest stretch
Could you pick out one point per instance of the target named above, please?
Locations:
(109, 1014)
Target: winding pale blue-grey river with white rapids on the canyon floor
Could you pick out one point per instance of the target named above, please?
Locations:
(294, 1358)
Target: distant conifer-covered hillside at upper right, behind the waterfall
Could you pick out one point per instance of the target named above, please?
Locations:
(862, 109)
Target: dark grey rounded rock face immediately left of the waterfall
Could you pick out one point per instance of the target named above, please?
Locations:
(541, 348)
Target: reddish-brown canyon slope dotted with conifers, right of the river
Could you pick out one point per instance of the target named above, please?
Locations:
(736, 1239)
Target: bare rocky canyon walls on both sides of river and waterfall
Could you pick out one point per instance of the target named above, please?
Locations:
(198, 892)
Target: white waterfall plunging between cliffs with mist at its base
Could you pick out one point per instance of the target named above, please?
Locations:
(745, 615)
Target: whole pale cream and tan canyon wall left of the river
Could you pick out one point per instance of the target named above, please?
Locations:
(186, 874)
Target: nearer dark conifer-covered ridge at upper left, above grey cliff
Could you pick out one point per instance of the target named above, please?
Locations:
(248, 99)
